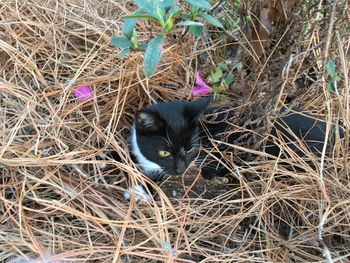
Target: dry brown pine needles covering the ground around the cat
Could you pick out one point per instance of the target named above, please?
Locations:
(57, 203)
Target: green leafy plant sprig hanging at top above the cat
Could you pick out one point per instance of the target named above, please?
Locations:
(164, 13)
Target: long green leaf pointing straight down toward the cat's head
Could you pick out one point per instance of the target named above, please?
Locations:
(153, 54)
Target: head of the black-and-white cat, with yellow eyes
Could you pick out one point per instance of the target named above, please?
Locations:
(165, 136)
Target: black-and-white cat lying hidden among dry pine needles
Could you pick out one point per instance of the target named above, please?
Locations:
(167, 137)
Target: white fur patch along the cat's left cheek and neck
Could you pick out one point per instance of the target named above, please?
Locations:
(146, 165)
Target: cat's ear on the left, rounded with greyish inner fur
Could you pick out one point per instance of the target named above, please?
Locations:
(148, 121)
